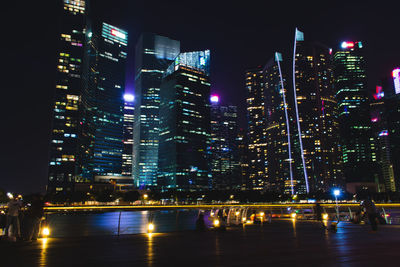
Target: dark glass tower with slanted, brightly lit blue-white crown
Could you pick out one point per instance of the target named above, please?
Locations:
(185, 124)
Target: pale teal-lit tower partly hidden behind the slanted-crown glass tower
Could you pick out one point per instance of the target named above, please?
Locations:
(153, 55)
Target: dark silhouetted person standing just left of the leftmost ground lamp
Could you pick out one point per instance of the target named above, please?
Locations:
(34, 216)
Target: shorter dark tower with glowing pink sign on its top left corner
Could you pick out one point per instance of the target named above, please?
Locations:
(224, 151)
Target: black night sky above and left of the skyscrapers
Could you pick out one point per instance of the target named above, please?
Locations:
(240, 35)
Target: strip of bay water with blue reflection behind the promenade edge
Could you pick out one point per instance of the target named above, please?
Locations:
(132, 222)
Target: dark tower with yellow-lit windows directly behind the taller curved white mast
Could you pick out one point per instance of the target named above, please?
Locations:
(317, 117)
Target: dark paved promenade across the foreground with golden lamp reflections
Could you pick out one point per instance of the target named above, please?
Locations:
(281, 243)
